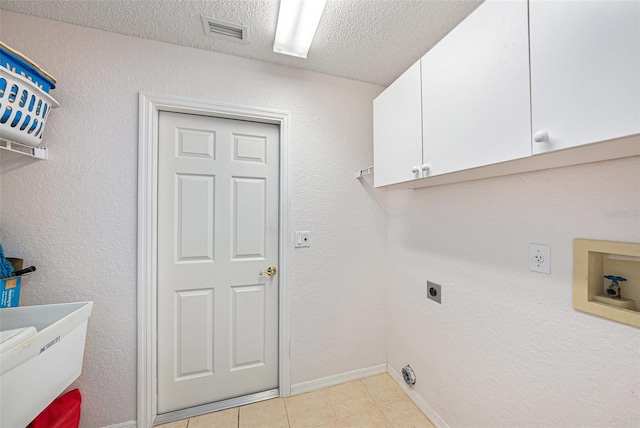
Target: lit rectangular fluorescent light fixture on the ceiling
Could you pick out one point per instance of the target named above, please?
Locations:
(297, 24)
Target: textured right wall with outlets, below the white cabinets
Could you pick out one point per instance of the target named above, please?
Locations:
(506, 348)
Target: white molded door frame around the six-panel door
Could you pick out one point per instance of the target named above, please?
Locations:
(149, 106)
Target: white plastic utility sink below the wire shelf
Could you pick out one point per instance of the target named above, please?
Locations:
(37, 366)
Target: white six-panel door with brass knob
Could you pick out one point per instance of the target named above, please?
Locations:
(218, 201)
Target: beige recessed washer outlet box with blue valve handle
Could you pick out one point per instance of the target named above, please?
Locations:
(592, 261)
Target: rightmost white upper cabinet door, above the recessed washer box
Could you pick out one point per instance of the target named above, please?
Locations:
(585, 71)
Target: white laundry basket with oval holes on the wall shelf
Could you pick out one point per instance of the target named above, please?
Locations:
(24, 109)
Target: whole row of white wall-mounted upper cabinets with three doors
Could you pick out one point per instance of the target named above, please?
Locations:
(515, 78)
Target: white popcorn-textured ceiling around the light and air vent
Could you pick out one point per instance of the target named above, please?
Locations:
(368, 40)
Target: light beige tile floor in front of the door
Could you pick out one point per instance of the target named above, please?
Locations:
(373, 402)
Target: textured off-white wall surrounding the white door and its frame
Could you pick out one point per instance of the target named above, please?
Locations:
(74, 216)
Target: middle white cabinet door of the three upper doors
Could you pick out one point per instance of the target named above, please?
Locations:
(475, 91)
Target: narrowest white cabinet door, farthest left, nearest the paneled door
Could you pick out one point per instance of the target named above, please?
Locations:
(397, 130)
